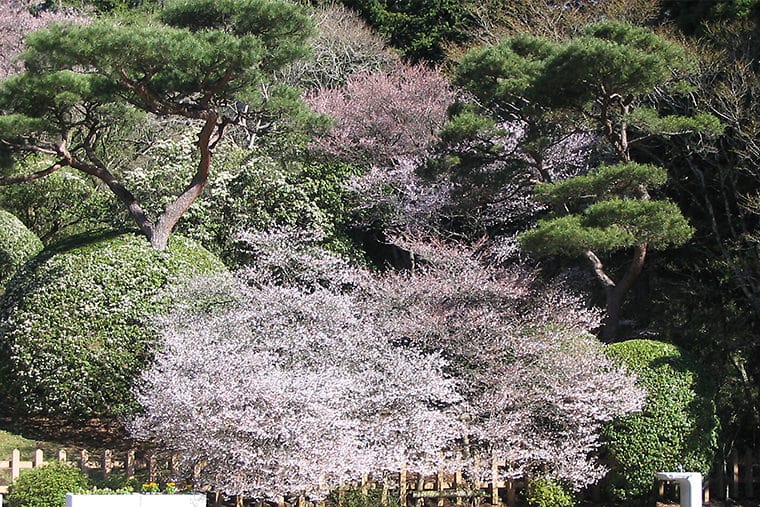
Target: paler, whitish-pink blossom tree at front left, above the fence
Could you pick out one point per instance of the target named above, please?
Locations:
(283, 388)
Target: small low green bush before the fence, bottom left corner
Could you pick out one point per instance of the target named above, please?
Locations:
(46, 486)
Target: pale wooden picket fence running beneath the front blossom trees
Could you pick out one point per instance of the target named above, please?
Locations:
(406, 487)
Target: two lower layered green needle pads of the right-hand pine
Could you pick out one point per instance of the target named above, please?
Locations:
(607, 213)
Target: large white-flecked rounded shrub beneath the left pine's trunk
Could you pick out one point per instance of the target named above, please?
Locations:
(74, 324)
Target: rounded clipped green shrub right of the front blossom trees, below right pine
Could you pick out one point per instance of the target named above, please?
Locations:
(677, 430)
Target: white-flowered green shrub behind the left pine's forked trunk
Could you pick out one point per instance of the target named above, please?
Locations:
(248, 190)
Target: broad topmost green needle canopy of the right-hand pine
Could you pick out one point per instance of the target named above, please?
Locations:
(607, 58)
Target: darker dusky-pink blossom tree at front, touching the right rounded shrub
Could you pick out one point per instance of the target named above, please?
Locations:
(536, 384)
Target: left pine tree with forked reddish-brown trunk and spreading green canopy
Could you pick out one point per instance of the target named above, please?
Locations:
(200, 61)
